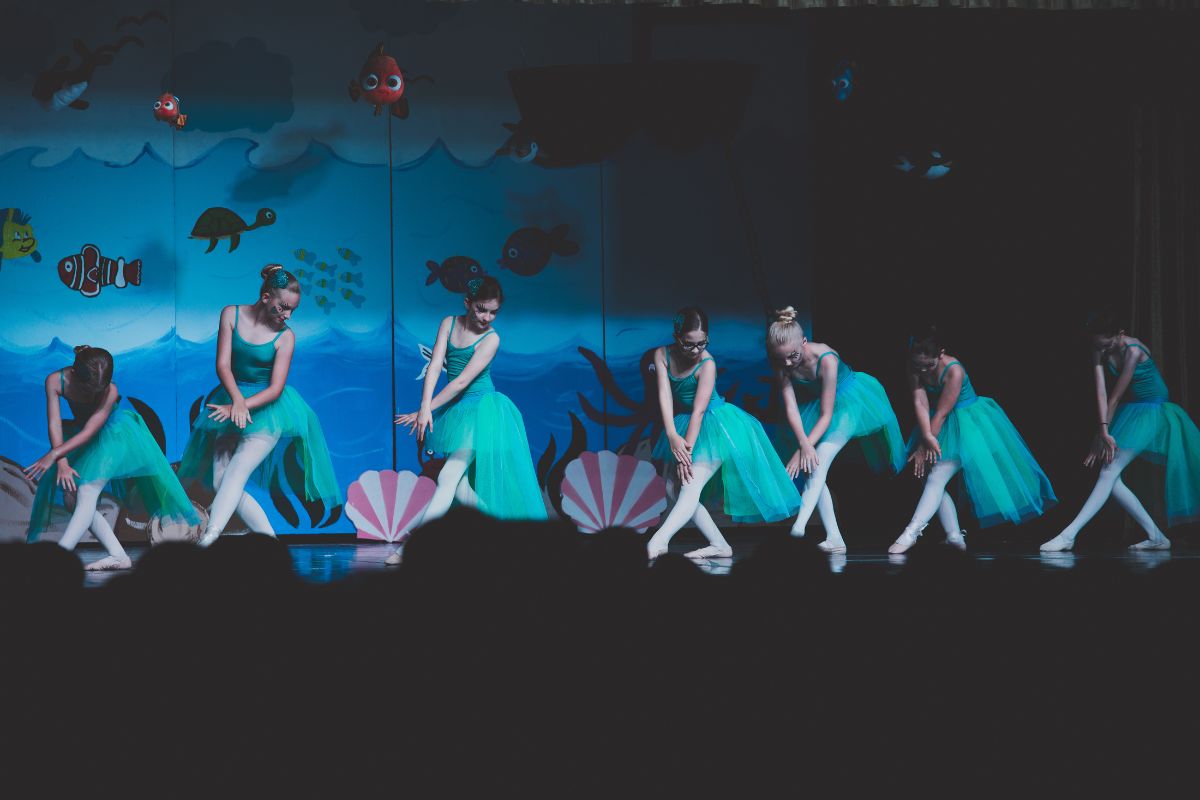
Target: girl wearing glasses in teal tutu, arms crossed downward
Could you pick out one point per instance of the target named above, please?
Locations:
(713, 449)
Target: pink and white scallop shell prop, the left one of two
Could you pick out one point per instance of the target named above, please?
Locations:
(386, 506)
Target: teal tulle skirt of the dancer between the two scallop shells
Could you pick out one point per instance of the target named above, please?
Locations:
(490, 426)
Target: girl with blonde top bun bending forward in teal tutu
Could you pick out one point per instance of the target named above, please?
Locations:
(827, 406)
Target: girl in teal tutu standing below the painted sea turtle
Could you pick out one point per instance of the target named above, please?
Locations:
(255, 414)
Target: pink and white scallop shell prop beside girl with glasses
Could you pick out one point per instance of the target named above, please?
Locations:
(604, 490)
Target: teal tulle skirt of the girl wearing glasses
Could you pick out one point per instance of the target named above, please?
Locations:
(752, 482)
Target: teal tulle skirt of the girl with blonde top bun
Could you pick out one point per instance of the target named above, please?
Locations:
(861, 412)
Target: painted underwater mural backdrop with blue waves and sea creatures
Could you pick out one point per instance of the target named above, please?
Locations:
(387, 153)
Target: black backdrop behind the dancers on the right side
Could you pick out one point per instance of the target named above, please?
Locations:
(1033, 227)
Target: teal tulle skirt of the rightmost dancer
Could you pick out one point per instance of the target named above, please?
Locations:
(1166, 437)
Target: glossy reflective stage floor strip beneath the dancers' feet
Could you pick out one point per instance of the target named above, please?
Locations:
(326, 563)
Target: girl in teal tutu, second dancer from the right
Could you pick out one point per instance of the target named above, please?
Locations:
(961, 432)
